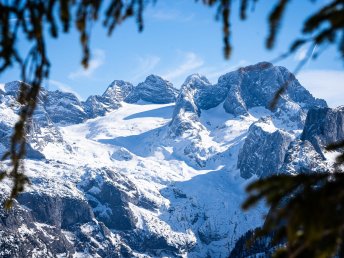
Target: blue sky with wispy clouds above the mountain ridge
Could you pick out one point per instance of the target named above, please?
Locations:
(182, 37)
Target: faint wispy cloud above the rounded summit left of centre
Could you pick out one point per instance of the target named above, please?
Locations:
(145, 65)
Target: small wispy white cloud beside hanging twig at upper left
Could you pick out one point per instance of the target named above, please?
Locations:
(96, 61)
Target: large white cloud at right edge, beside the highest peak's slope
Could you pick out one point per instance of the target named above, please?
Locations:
(326, 84)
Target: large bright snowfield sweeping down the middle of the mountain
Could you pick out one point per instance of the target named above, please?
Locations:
(199, 207)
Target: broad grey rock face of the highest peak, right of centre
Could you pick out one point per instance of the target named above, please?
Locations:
(255, 86)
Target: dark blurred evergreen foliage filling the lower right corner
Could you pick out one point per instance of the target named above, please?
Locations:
(306, 210)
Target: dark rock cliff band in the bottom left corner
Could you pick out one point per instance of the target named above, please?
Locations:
(30, 230)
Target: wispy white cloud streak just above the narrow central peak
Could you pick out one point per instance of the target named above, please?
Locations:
(190, 63)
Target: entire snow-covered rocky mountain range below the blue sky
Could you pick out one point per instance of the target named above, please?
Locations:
(152, 171)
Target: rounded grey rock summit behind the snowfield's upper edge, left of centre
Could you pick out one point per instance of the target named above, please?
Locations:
(155, 90)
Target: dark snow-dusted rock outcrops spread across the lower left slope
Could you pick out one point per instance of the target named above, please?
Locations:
(97, 223)
